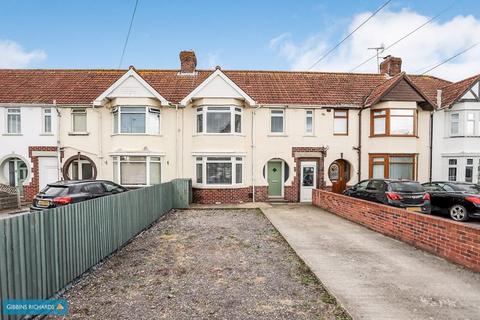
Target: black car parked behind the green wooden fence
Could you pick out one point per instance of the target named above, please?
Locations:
(70, 191)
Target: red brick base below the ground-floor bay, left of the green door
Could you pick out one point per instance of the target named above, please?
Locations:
(224, 195)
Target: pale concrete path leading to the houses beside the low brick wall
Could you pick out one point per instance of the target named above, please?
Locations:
(373, 276)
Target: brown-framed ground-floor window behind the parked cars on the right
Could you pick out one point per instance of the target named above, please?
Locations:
(393, 166)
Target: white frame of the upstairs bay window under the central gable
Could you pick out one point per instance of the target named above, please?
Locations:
(202, 111)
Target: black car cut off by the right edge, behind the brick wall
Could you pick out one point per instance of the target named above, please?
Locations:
(460, 200)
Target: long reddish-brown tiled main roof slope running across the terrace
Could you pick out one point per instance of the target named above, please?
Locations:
(72, 87)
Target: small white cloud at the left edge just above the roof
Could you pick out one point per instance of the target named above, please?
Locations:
(12, 55)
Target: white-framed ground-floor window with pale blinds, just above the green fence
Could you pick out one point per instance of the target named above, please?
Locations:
(137, 171)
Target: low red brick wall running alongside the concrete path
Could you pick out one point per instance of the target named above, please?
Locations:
(454, 241)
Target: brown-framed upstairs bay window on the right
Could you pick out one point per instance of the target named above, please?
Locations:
(394, 122)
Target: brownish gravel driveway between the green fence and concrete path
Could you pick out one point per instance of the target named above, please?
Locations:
(204, 264)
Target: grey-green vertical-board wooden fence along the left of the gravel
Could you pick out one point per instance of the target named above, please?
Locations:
(41, 253)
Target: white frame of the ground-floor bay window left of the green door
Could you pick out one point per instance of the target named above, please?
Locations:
(235, 160)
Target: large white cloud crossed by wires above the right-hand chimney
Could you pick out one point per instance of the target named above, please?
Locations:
(428, 46)
